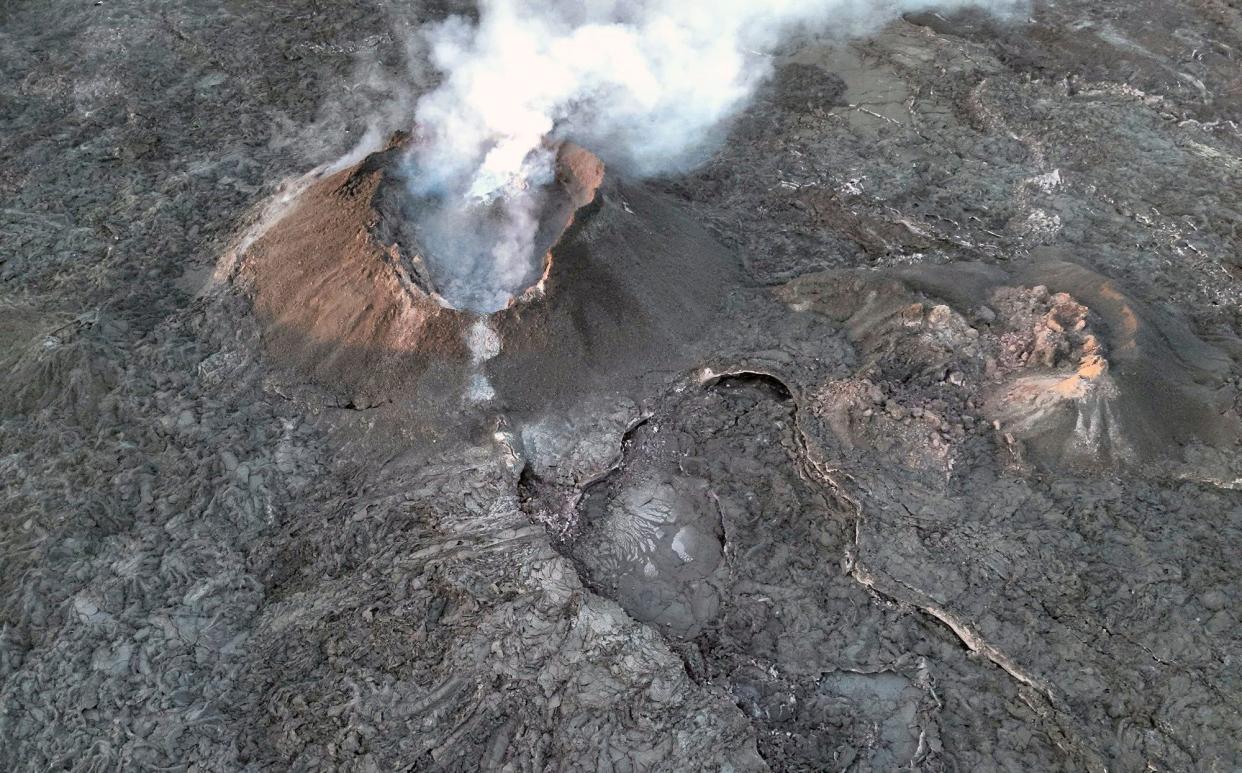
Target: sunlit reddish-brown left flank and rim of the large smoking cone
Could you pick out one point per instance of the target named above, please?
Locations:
(342, 291)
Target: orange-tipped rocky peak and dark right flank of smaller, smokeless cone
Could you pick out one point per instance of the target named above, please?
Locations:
(1108, 381)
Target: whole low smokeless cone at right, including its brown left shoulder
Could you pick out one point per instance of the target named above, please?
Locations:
(1070, 370)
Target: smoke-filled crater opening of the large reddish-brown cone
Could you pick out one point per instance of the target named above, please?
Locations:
(484, 255)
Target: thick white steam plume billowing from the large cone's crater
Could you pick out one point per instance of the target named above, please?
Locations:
(648, 85)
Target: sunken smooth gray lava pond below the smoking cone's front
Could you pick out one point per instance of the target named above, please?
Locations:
(654, 535)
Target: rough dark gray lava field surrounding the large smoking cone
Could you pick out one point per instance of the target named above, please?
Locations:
(940, 470)
